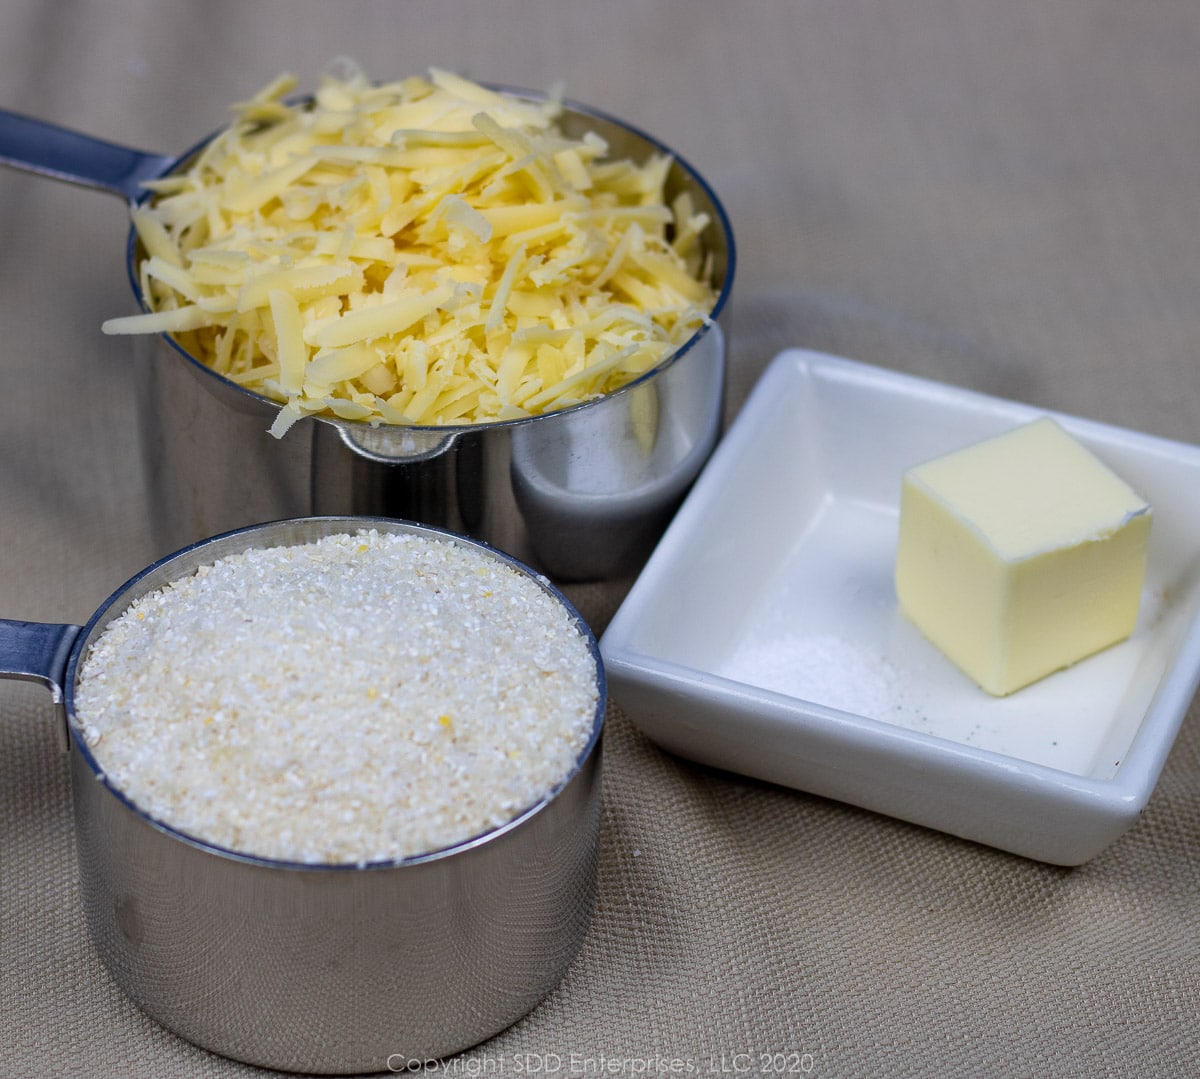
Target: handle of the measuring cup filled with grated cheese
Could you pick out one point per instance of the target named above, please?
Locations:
(39, 147)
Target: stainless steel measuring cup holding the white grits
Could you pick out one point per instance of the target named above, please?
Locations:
(321, 968)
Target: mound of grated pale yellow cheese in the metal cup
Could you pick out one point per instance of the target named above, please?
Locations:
(428, 251)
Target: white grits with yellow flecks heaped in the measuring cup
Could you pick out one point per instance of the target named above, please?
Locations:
(362, 698)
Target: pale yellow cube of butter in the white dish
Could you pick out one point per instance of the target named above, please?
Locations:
(1021, 555)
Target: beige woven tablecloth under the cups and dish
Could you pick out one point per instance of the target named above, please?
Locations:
(1001, 196)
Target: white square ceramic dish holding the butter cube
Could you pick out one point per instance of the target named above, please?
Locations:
(764, 636)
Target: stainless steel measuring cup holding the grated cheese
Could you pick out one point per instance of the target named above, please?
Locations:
(584, 494)
